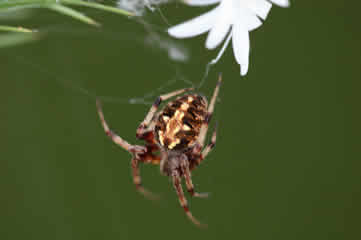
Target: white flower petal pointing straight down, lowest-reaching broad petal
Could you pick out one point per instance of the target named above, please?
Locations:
(241, 44)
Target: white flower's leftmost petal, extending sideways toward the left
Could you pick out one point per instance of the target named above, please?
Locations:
(195, 26)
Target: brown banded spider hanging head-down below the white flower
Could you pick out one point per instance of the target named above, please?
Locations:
(174, 138)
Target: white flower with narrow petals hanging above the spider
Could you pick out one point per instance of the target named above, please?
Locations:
(235, 18)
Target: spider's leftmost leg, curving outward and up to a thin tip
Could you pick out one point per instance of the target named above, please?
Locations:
(116, 139)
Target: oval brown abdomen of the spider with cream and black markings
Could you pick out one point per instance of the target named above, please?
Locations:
(179, 123)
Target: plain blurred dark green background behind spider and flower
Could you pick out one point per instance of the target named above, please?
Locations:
(286, 164)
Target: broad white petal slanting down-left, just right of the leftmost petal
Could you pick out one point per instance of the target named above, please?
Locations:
(221, 27)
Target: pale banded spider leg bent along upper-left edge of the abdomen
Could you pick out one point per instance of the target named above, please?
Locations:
(143, 127)
